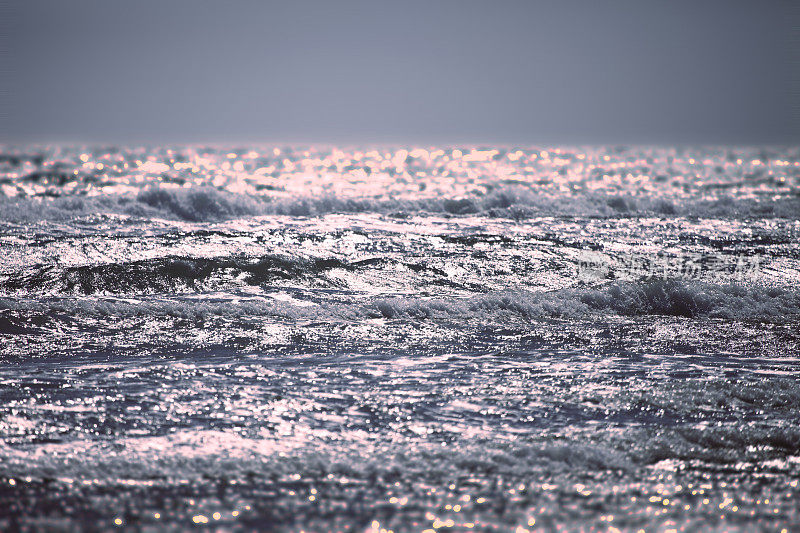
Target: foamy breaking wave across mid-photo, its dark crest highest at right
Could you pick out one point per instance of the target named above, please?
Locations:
(667, 298)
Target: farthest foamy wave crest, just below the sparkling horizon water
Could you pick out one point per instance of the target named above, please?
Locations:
(201, 204)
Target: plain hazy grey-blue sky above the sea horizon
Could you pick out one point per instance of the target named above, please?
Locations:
(436, 71)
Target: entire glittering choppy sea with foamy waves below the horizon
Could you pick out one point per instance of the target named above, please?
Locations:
(407, 339)
